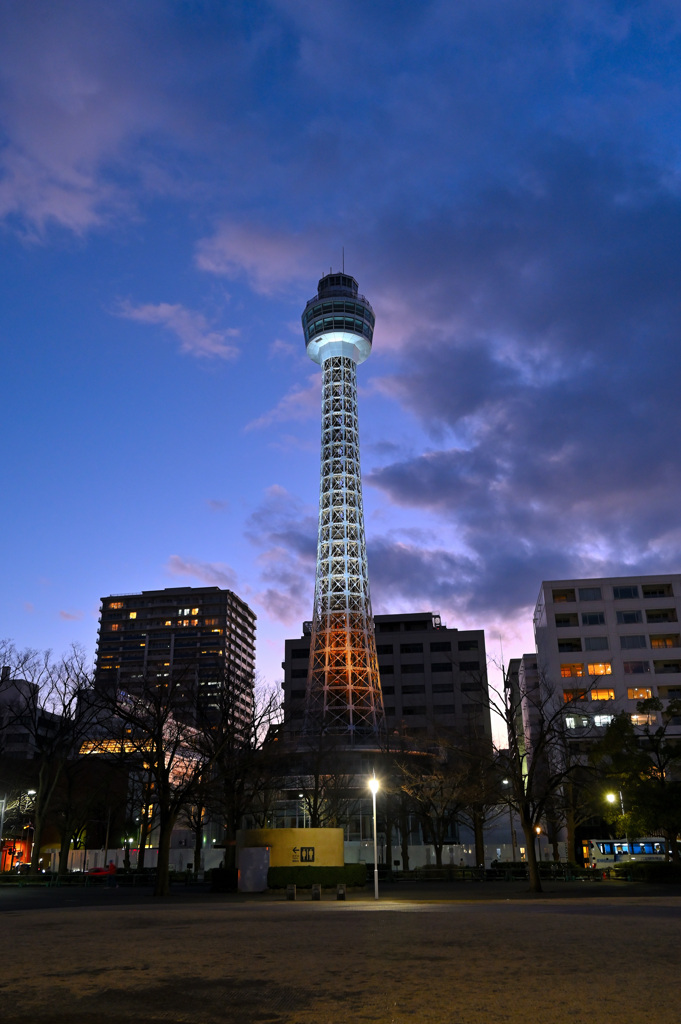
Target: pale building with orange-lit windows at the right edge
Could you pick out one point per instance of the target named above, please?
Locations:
(607, 645)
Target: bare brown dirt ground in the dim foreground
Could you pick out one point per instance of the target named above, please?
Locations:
(408, 958)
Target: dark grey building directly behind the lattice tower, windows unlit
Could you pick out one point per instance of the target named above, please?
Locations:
(434, 678)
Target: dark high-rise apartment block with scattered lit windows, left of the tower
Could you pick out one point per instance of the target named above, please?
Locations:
(201, 638)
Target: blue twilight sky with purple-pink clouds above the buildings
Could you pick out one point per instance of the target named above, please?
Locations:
(176, 178)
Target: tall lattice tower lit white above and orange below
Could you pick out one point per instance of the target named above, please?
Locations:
(344, 696)
